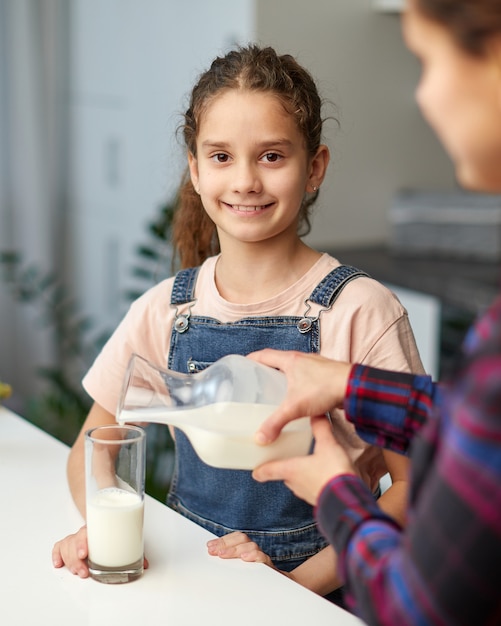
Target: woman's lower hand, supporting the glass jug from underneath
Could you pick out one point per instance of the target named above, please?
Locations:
(306, 476)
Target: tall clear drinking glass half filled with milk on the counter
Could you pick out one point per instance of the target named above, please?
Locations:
(114, 481)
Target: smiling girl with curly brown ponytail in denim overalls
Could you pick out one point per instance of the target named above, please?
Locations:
(255, 164)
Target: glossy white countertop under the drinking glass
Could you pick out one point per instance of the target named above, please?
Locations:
(183, 585)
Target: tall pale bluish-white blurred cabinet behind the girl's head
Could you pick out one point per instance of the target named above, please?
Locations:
(132, 66)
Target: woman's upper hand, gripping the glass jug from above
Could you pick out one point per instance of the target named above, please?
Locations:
(315, 385)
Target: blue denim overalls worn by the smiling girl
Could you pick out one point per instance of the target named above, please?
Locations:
(223, 500)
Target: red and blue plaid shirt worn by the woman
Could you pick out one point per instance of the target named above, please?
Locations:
(445, 566)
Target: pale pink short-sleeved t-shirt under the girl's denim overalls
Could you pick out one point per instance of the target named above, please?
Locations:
(367, 324)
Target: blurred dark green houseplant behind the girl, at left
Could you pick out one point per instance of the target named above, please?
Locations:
(63, 405)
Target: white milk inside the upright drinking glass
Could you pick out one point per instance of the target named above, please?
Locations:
(115, 527)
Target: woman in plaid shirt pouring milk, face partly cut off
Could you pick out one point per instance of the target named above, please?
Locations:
(443, 568)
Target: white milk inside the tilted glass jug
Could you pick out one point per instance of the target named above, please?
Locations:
(223, 433)
